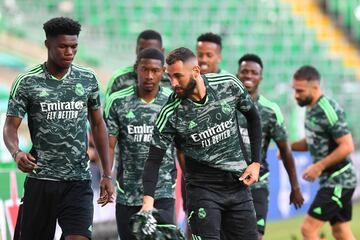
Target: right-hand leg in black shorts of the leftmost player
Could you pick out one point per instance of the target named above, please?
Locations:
(75, 210)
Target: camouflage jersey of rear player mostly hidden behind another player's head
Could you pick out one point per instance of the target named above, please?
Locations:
(125, 77)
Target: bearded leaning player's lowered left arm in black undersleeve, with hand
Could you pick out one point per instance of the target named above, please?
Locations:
(150, 176)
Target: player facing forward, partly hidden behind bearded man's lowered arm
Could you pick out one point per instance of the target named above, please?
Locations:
(130, 116)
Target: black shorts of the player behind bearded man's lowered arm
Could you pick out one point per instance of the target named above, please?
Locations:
(165, 207)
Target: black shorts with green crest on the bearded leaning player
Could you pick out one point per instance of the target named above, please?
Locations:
(221, 212)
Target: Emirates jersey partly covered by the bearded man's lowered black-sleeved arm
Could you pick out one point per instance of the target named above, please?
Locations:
(132, 120)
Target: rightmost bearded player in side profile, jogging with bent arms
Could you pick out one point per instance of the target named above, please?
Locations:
(330, 143)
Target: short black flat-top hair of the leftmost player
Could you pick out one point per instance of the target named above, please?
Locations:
(61, 26)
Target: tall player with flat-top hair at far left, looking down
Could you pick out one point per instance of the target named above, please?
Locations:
(58, 98)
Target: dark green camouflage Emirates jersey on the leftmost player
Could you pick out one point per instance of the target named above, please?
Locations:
(57, 115)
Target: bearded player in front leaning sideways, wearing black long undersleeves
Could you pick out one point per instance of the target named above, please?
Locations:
(200, 118)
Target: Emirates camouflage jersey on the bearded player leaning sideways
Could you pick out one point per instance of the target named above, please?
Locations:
(207, 133)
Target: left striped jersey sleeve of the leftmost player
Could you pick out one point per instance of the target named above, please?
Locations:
(19, 99)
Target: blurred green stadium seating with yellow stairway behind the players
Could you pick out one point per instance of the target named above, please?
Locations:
(278, 30)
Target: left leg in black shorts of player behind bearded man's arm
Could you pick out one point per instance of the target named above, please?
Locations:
(123, 215)
